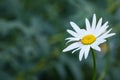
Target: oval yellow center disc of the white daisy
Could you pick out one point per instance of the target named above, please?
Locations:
(88, 39)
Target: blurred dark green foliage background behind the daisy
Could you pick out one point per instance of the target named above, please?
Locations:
(32, 34)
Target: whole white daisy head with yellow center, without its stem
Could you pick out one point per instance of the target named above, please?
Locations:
(91, 37)
